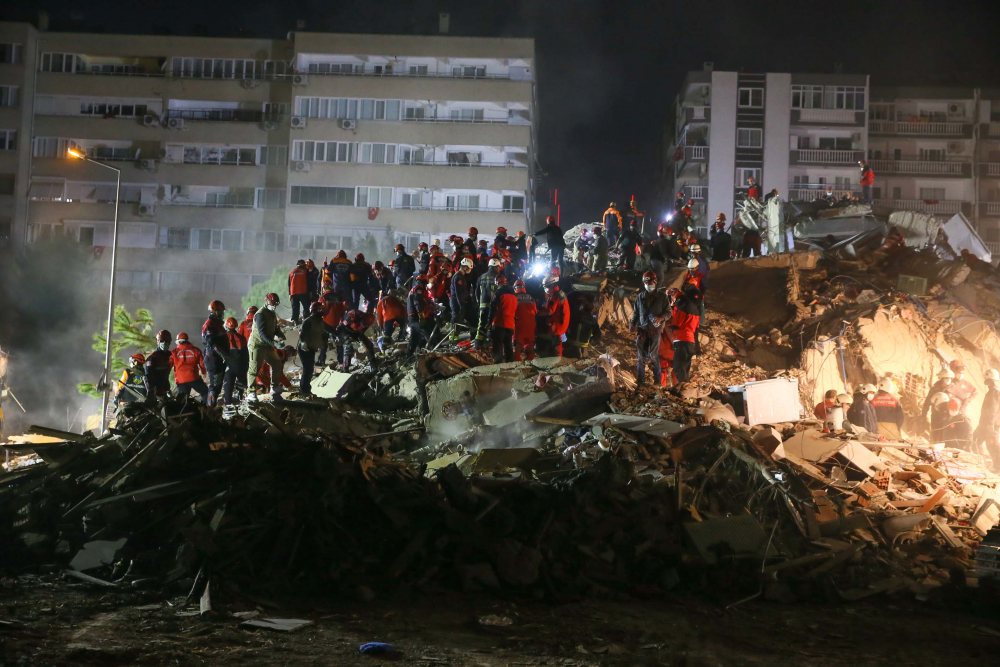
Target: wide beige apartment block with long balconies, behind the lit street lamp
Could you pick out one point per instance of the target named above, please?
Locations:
(240, 155)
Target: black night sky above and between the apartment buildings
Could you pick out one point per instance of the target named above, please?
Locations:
(607, 70)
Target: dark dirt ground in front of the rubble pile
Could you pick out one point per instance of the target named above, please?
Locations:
(62, 624)
